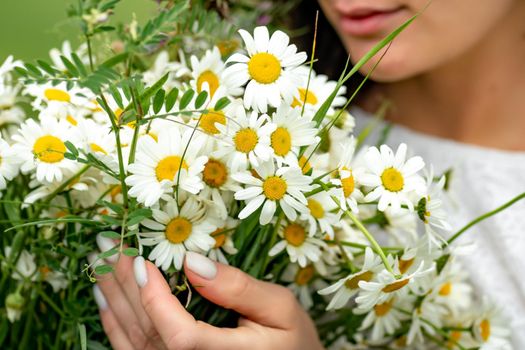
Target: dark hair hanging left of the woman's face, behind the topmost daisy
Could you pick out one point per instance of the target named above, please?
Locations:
(330, 52)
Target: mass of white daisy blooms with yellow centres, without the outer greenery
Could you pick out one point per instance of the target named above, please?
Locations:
(244, 145)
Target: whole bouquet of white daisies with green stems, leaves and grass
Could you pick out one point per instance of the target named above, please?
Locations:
(180, 136)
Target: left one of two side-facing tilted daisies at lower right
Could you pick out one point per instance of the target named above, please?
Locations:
(348, 287)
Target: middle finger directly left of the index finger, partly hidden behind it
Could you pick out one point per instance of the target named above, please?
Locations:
(126, 280)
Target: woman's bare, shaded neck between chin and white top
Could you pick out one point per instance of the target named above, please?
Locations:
(478, 98)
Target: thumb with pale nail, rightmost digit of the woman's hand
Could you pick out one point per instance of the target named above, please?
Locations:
(262, 302)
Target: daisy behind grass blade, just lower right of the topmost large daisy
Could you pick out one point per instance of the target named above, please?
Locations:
(315, 89)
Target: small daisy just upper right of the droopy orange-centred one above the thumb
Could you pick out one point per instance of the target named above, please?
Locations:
(320, 214)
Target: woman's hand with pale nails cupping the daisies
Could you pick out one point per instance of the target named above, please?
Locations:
(138, 310)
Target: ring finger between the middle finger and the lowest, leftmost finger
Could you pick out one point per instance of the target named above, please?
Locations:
(122, 310)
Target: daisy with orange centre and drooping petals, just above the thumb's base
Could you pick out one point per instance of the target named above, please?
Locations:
(300, 247)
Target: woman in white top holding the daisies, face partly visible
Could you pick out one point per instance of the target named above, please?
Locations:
(456, 80)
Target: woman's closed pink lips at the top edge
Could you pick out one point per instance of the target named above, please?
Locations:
(369, 21)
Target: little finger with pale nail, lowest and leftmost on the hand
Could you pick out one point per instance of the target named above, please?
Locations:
(117, 337)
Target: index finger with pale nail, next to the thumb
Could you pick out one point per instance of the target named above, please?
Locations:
(177, 328)
